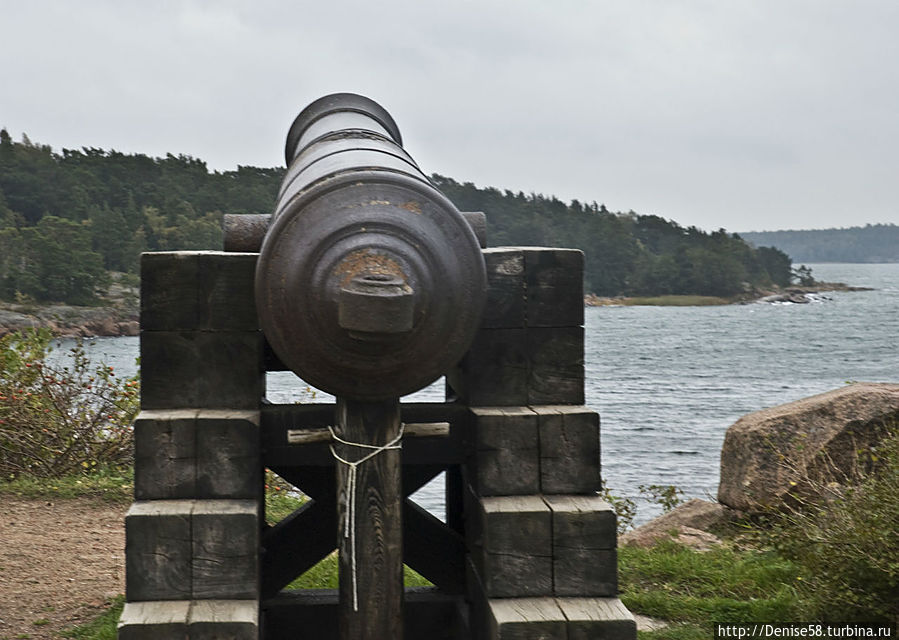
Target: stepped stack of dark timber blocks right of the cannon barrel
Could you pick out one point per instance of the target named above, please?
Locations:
(541, 542)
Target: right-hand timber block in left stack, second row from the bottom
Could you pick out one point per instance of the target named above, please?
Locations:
(225, 549)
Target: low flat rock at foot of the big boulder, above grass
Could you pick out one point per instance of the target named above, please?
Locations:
(688, 524)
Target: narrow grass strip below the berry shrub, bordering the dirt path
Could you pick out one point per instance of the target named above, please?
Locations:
(113, 485)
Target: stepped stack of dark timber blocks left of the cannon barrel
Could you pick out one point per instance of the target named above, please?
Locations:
(192, 534)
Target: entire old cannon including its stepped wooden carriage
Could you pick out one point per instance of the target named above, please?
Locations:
(367, 283)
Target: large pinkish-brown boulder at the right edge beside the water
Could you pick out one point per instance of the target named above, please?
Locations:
(792, 448)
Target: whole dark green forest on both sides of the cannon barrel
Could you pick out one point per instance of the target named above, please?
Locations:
(67, 220)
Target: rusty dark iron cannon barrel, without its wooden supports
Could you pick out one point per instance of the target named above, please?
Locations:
(370, 283)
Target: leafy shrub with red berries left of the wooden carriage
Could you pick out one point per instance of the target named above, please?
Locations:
(64, 416)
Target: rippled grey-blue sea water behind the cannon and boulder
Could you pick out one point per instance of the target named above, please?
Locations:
(669, 381)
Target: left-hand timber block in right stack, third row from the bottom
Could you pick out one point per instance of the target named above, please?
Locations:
(503, 454)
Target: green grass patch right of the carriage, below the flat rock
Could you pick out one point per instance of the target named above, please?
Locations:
(673, 582)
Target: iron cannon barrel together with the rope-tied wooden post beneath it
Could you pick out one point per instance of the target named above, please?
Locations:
(369, 285)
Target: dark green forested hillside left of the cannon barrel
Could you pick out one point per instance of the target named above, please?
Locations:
(68, 219)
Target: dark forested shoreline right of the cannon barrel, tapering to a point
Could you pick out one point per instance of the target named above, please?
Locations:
(625, 253)
